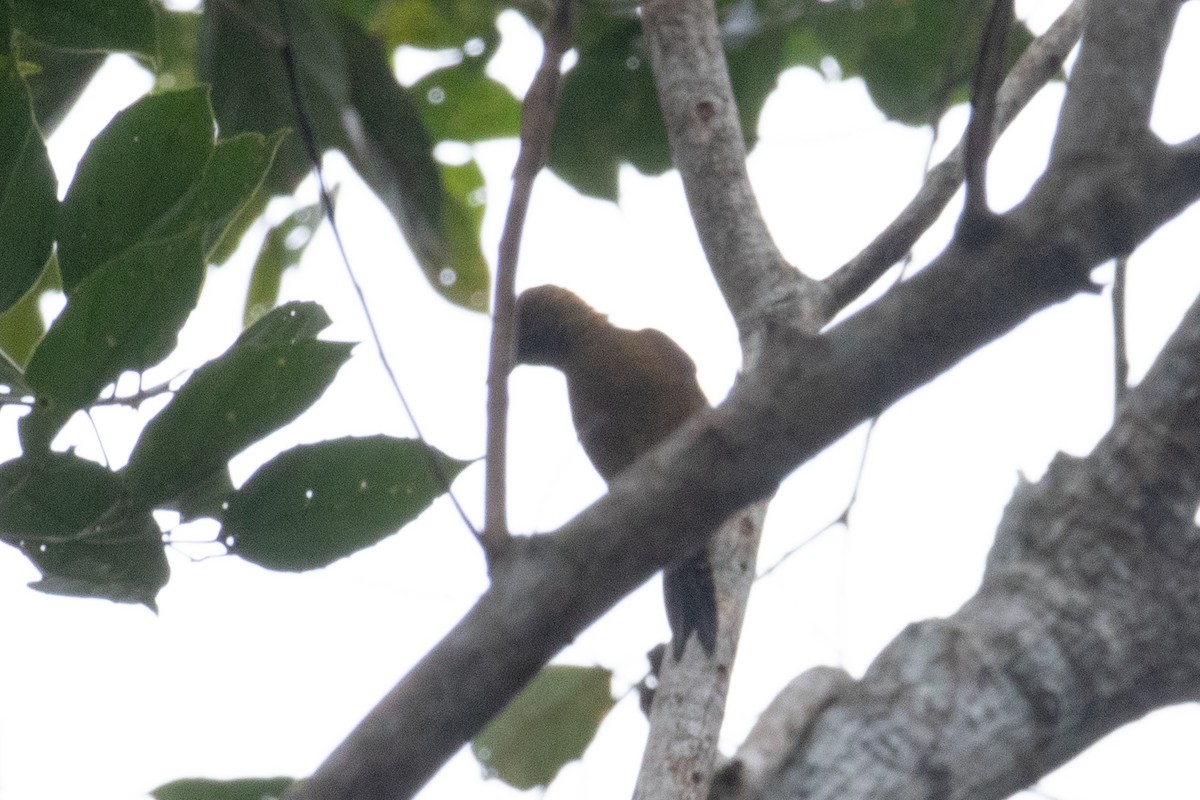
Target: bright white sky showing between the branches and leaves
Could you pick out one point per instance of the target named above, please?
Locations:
(253, 673)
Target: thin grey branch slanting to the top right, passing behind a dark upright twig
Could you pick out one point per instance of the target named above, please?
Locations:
(1041, 62)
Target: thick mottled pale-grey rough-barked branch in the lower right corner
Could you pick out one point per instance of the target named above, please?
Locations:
(1089, 617)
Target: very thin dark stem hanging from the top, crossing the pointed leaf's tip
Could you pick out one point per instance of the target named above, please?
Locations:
(309, 137)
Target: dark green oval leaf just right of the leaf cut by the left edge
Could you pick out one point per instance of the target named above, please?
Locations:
(131, 179)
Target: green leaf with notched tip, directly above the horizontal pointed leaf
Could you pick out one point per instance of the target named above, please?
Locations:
(272, 374)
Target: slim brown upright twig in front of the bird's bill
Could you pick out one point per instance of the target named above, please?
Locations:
(537, 124)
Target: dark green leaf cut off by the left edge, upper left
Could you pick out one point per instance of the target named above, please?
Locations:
(28, 190)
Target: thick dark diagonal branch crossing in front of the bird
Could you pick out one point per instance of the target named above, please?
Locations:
(805, 395)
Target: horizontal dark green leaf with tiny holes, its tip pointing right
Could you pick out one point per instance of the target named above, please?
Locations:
(315, 504)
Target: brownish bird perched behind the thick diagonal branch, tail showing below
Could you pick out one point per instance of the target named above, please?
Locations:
(628, 390)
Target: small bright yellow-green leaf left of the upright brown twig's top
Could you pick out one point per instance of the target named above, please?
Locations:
(461, 104)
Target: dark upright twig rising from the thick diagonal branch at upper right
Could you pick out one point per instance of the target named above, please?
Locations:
(988, 76)
